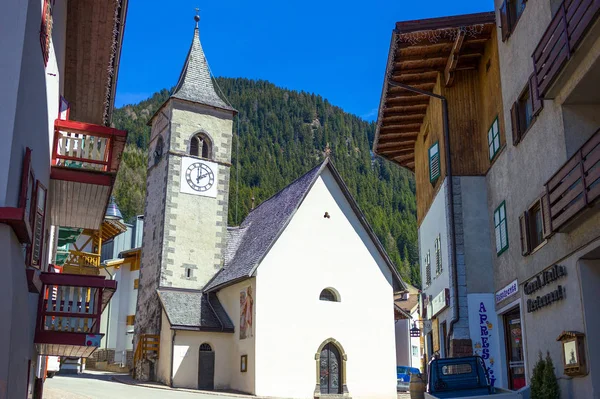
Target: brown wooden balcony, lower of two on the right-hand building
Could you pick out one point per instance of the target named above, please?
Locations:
(576, 186)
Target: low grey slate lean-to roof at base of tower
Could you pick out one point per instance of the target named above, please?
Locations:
(194, 310)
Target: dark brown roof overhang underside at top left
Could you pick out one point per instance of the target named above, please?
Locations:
(94, 40)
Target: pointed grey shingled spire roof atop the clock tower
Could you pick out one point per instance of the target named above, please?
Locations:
(195, 83)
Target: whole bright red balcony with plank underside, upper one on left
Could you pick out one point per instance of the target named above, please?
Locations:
(85, 161)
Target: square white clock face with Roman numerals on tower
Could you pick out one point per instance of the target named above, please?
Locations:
(198, 177)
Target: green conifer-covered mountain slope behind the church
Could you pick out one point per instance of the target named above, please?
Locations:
(283, 134)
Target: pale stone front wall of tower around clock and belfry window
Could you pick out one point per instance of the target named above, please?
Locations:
(196, 226)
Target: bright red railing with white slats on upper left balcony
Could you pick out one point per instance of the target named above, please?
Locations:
(86, 146)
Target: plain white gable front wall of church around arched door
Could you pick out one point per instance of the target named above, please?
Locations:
(314, 253)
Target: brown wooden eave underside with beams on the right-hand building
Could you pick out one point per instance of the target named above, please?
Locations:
(421, 51)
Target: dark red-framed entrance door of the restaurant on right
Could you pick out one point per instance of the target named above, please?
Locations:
(514, 349)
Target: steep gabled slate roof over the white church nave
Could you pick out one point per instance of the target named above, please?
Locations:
(263, 226)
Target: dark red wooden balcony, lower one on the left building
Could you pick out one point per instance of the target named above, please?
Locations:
(69, 310)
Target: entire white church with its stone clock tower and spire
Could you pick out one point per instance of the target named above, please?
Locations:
(296, 302)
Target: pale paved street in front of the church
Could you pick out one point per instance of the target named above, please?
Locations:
(99, 385)
